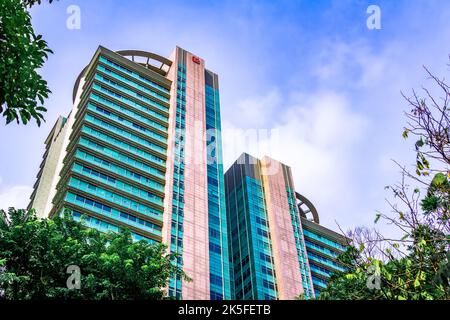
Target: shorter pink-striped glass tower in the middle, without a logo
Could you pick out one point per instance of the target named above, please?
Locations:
(267, 247)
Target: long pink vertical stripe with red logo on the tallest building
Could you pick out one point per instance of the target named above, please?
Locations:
(195, 223)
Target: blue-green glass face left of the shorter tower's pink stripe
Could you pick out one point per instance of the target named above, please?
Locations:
(251, 252)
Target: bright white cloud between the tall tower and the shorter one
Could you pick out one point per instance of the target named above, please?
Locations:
(314, 136)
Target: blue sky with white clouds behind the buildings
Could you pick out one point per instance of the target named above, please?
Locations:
(310, 70)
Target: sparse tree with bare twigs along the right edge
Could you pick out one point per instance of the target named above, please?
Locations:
(417, 265)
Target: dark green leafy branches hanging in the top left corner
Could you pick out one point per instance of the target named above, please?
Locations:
(22, 54)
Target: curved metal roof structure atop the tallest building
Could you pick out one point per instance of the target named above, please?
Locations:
(132, 55)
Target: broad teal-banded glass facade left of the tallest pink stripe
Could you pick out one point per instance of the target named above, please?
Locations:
(114, 169)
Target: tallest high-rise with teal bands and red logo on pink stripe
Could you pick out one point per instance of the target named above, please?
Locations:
(141, 150)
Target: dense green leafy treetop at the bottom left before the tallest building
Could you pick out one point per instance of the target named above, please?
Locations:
(35, 254)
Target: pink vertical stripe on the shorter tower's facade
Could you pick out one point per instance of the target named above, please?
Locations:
(287, 269)
